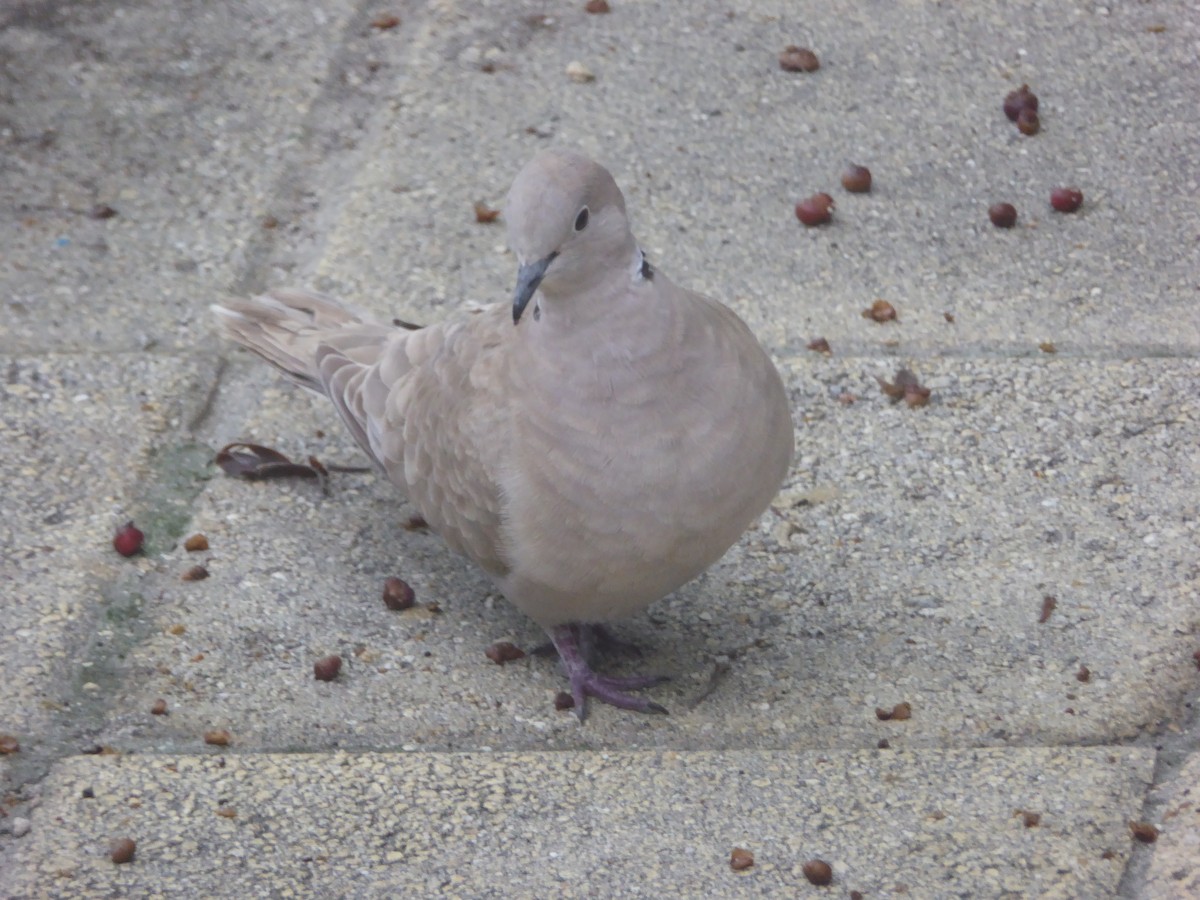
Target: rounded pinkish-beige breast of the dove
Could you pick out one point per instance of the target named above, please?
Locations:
(641, 464)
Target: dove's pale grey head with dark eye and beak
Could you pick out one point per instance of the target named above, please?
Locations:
(568, 227)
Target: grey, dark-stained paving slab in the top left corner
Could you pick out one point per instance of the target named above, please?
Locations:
(187, 121)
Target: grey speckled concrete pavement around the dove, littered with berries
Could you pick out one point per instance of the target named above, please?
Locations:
(908, 560)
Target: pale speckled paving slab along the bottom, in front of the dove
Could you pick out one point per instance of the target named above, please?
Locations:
(925, 824)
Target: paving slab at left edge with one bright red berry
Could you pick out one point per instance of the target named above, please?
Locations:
(80, 439)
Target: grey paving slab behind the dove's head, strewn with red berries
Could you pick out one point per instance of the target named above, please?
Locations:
(715, 145)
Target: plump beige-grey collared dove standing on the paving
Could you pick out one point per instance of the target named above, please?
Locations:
(593, 447)
